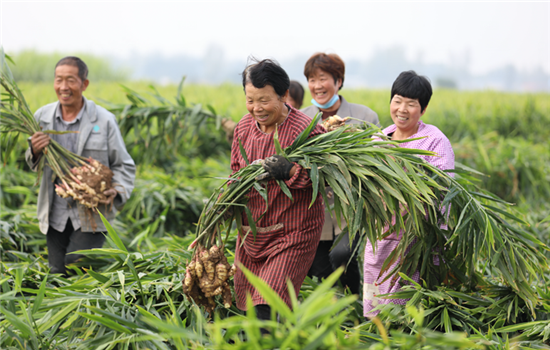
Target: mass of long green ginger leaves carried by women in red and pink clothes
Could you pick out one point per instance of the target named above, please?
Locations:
(380, 188)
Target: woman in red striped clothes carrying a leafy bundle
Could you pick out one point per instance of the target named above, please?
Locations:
(288, 231)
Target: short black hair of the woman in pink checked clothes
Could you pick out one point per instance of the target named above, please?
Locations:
(411, 85)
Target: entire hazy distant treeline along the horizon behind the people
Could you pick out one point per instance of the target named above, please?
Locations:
(377, 71)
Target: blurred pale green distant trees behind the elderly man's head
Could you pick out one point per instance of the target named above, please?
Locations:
(33, 66)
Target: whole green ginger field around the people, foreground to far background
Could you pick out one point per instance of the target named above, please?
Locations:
(131, 295)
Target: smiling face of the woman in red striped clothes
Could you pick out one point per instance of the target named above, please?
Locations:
(265, 106)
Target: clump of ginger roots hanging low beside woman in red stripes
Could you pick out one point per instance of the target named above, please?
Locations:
(207, 276)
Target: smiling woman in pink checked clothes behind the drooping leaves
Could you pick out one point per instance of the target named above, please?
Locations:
(410, 95)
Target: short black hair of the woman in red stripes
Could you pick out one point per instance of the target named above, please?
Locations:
(266, 72)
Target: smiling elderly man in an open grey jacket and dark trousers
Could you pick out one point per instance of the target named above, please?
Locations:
(68, 225)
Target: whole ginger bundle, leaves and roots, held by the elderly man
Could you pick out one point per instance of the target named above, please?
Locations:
(82, 179)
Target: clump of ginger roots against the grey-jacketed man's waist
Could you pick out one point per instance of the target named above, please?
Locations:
(86, 183)
